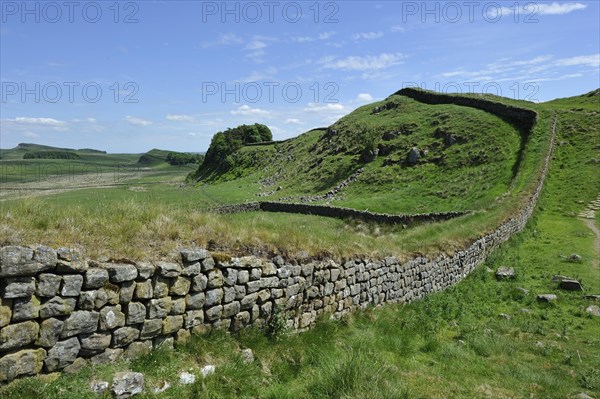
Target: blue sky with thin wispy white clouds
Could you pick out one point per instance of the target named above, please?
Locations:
(131, 76)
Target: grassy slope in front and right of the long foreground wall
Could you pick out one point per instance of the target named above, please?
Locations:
(453, 344)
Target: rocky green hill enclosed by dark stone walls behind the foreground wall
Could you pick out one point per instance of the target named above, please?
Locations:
(412, 156)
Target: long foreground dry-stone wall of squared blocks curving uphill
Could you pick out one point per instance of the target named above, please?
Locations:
(57, 306)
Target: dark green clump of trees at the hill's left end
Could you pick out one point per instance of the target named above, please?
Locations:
(225, 143)
